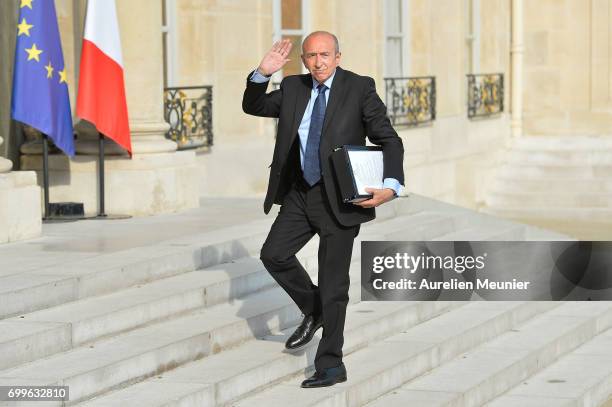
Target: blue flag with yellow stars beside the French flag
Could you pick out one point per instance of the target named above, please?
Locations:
(40, 91)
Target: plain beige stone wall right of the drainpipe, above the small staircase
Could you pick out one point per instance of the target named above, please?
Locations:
(568, 75)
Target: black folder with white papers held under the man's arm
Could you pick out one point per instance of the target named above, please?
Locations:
(345, 170)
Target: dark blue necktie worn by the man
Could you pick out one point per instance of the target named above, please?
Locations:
(312, 166)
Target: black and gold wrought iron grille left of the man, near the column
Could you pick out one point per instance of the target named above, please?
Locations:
(188, 110)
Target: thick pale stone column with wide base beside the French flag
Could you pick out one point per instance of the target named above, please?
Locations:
(158, 178)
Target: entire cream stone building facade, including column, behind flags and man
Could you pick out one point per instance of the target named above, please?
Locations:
(216, 42)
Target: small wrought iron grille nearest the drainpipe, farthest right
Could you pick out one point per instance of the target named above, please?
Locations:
(485, 94)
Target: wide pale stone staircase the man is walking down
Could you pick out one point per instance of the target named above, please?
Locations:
(194, 323)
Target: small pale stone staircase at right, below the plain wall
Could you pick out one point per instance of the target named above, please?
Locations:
(559, 183)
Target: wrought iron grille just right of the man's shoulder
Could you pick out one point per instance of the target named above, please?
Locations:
(411, 100)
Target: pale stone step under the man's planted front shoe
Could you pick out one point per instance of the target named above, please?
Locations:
(383, 366)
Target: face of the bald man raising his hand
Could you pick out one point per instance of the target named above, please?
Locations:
(320, 57)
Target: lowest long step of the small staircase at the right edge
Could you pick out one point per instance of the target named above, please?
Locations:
(568, 199)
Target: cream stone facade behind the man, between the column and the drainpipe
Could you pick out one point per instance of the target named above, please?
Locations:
(453, 147)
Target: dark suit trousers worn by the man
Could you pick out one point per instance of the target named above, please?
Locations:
(304, 212)
